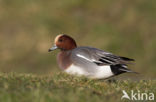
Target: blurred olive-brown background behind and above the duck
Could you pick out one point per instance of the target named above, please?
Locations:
(28, 28)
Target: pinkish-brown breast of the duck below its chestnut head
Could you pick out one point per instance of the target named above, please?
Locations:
(63, 59)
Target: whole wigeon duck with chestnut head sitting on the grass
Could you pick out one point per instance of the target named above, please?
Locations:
(88, 61)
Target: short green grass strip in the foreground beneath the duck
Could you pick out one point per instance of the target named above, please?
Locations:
(61, 87)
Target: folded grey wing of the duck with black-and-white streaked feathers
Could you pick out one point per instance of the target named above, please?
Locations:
(100, 57)
